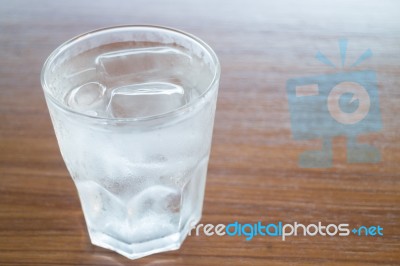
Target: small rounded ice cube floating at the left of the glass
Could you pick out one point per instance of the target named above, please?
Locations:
(86, 98)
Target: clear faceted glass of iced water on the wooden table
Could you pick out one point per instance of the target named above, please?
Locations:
(133, 111)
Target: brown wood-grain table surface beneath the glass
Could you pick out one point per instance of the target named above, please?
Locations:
(254, 173)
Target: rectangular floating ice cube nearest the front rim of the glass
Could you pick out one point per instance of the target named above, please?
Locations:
(146, 99)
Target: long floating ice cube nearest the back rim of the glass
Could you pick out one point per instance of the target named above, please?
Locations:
(125, 67)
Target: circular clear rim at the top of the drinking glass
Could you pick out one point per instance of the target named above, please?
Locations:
(67, 44)
